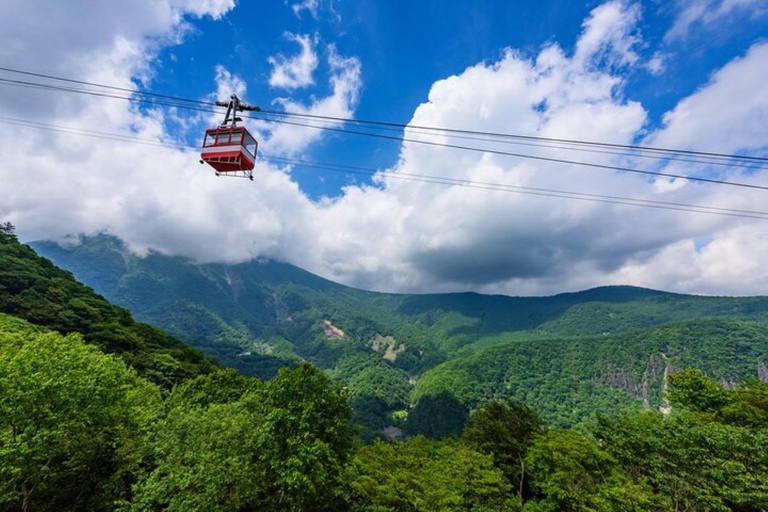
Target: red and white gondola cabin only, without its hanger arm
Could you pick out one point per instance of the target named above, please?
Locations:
(230, 151)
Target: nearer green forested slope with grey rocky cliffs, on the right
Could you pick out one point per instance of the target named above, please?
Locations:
(570, 379)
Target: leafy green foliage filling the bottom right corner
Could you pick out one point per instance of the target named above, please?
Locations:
(699, 457)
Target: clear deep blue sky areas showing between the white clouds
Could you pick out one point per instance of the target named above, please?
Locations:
(404, 47)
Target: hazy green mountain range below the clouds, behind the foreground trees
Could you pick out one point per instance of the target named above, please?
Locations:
(569, 355)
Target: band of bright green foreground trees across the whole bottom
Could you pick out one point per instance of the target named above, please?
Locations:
(81, 431)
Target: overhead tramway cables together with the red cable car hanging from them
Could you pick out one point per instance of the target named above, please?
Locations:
(231, 150)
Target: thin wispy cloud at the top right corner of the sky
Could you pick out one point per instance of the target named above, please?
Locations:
(705, 13)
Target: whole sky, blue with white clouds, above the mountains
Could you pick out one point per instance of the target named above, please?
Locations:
(690, 74)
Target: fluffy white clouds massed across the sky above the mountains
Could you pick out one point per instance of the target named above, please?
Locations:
(400, 235)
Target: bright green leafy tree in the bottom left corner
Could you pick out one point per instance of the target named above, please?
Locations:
(70, 417)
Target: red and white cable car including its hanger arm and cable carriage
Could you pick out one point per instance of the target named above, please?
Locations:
(230, 149)
